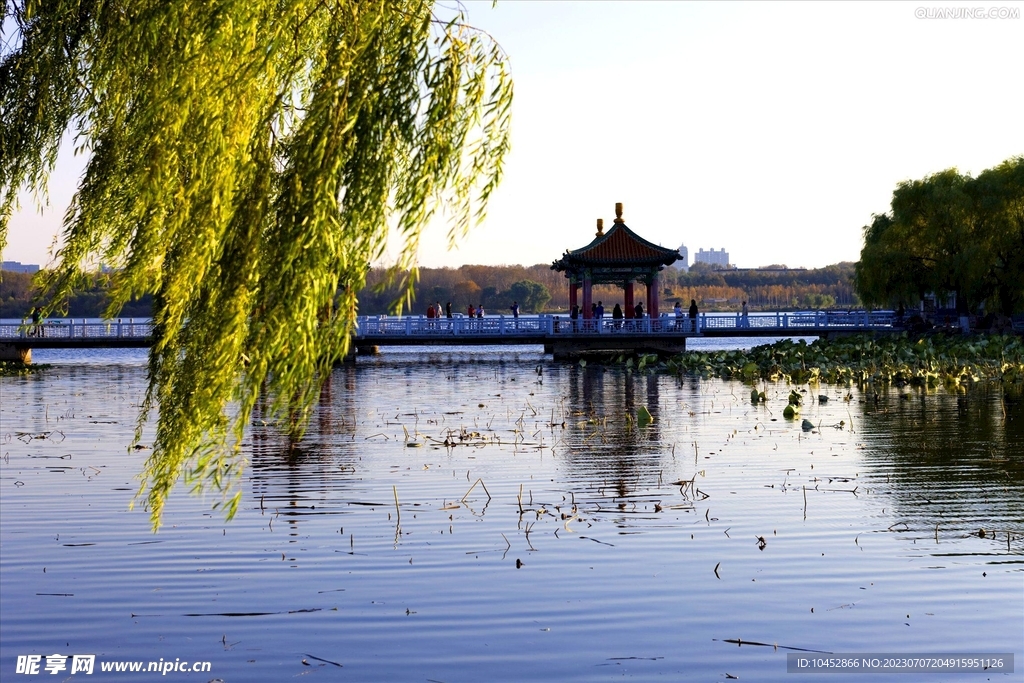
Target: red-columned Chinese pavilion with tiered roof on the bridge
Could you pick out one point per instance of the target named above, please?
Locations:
(617, 258)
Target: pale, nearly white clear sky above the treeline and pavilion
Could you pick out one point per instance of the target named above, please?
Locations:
(774, 131)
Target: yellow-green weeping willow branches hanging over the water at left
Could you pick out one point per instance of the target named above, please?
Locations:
(247, 162)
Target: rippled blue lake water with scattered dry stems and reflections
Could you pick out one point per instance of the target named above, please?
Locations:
(550, 540)
